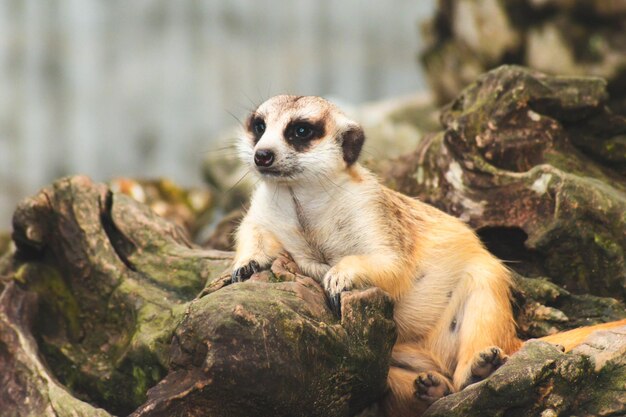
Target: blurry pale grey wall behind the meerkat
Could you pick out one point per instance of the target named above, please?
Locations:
(118, 87)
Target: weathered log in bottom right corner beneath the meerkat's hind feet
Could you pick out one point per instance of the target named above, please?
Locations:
(540, 380)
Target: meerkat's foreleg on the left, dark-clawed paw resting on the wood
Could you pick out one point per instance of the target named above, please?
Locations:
(256, 250)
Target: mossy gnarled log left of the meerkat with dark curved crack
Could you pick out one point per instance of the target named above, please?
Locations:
(111, 278)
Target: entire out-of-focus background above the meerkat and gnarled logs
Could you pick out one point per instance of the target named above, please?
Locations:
(144, 88)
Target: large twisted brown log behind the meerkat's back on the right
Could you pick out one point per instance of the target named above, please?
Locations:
(506, 164)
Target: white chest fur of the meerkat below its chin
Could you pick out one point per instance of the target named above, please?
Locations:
(318, 224)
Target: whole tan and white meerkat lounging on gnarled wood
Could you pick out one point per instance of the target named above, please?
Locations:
(342, 227)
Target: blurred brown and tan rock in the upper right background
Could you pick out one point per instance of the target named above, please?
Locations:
(469, 37)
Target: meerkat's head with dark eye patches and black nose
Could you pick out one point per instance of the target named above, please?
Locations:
(295, 138)
